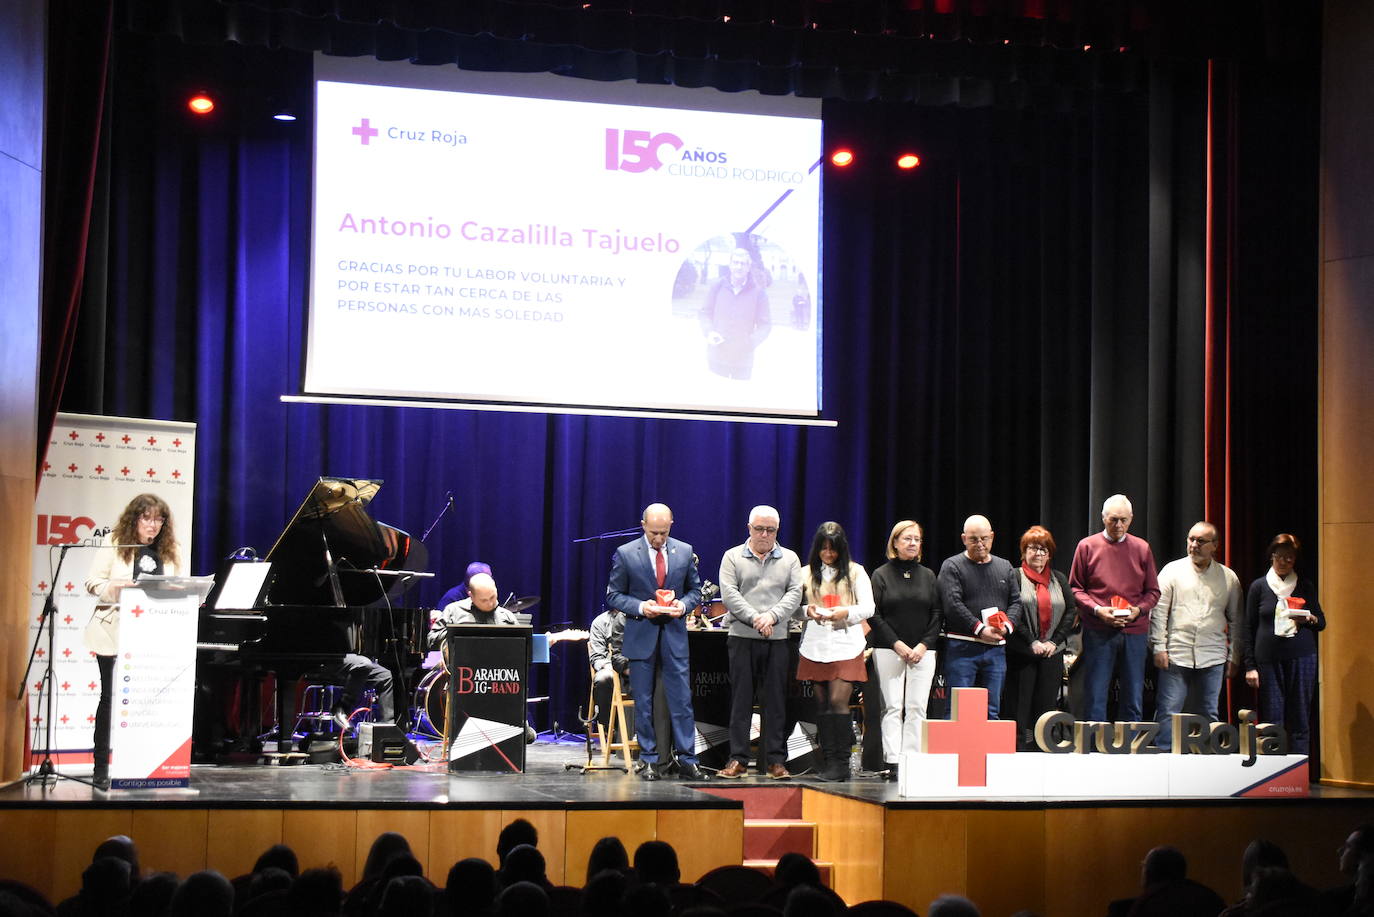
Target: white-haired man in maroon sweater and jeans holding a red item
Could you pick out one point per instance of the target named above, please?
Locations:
(1115, 582)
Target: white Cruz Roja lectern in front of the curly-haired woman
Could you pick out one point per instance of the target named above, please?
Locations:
(155, 683)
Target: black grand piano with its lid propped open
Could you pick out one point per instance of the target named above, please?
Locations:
(330, 592)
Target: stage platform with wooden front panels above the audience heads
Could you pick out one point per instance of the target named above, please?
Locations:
(1067, 857)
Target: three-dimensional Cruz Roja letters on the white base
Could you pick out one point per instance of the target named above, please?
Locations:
(1059, 733)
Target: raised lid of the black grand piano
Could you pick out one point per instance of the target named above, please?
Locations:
(335, 515)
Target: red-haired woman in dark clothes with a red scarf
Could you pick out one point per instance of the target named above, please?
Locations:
(1035, 647)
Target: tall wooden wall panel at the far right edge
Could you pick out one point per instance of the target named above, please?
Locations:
(1347, 386)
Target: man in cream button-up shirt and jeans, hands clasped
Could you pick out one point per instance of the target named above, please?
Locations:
(1195, 633)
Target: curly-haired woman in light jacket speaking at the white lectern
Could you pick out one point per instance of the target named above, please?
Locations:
(144, 544)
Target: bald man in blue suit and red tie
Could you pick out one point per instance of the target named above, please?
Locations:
(656, 636)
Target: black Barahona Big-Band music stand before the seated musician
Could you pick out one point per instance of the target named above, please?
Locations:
(488, 681)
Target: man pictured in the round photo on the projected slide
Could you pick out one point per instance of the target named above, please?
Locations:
(736, 320)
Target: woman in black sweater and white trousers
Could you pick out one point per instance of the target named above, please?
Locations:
(905, 626)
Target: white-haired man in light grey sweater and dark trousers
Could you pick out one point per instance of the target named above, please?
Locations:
(761, 585)
